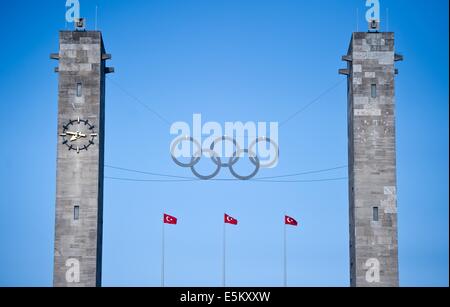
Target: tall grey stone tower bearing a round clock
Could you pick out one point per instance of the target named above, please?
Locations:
(79, 186)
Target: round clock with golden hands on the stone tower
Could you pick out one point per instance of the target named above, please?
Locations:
(78, 135)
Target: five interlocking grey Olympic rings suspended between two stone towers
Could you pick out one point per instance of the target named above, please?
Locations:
(214, 156)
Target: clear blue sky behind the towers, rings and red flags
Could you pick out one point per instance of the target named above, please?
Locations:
(231, 61)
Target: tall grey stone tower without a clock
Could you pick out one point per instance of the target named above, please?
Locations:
(372, 159)
